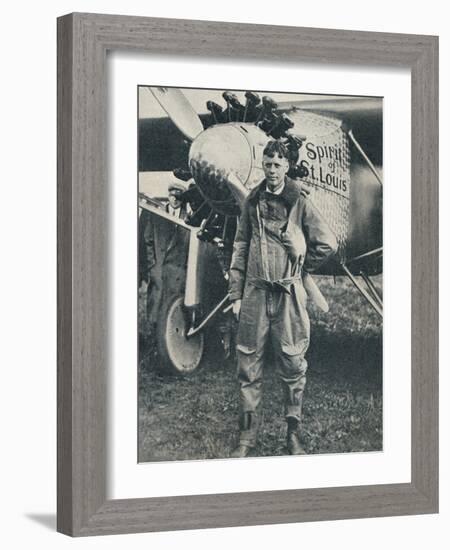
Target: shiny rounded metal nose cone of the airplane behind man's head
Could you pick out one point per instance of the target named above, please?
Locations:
(226, 163)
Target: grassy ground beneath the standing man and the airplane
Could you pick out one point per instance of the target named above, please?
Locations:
(197, 417)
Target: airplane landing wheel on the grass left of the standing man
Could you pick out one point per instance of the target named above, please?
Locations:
(178, 353)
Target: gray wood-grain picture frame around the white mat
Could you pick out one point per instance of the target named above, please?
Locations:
(83, 41)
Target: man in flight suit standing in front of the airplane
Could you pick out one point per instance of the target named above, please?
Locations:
(280, 234)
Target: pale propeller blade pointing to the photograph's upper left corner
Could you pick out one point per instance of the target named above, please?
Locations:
(180, 111)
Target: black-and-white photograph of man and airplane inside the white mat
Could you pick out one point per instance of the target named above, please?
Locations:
(260, 274)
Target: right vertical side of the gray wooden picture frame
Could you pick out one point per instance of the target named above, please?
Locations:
(424, 258)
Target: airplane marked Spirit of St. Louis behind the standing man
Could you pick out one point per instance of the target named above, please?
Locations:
(335, 145)
